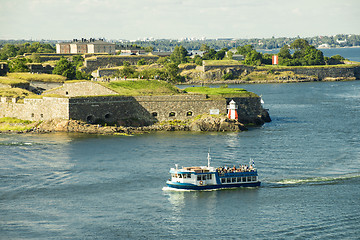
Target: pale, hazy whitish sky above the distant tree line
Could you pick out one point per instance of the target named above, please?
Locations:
(176, 19)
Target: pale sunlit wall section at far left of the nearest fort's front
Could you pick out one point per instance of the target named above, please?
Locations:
(36, 109)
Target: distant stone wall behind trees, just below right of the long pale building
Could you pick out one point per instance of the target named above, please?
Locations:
(96, 62)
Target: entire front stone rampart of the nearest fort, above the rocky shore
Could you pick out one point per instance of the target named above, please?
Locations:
(122, 110)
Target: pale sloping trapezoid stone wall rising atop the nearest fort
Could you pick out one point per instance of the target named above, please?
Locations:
(85, 88)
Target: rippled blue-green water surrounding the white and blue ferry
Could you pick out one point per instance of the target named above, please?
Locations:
(67, 186)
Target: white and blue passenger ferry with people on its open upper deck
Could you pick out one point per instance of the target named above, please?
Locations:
(207, 177)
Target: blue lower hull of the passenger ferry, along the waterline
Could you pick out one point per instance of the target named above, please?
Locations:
(185, 186)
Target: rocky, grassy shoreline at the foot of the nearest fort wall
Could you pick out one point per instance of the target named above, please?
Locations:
(205, 124)
